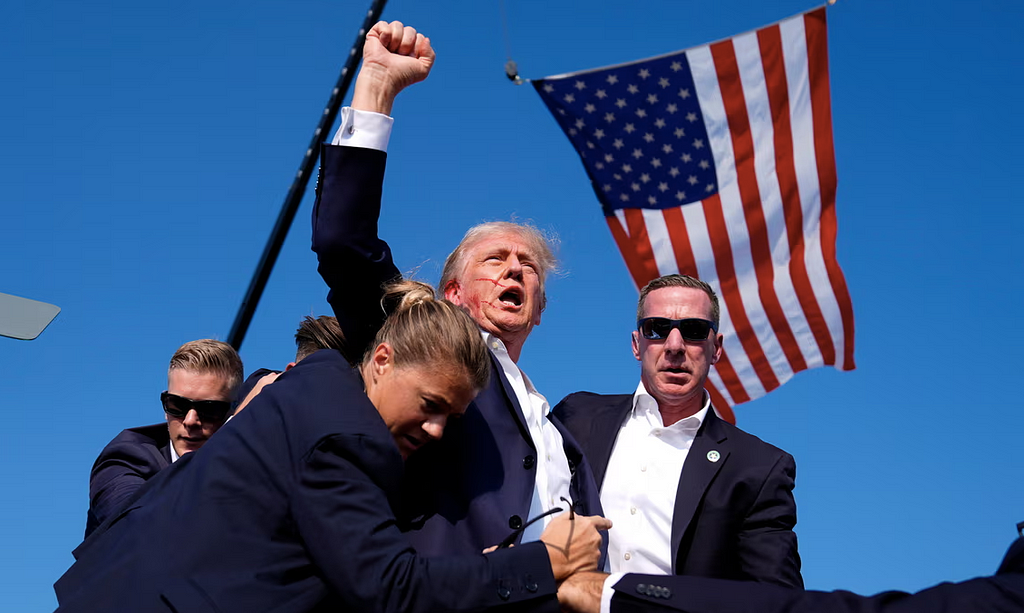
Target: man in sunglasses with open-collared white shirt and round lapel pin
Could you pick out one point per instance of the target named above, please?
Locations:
(690, 494)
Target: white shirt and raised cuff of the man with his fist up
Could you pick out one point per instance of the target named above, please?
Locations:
(373, 130)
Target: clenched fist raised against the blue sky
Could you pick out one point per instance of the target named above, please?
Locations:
(395, 57)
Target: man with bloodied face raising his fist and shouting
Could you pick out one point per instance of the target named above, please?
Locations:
(506, 461)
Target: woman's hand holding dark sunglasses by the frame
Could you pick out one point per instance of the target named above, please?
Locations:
(574, 544)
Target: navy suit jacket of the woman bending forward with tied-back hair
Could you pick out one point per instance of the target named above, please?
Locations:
(289, 509)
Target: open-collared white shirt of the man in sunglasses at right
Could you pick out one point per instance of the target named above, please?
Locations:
(639, 490)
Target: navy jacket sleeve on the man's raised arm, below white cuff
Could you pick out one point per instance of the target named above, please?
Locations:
(354, 262)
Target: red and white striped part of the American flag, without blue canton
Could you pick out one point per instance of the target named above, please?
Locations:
(766, 242)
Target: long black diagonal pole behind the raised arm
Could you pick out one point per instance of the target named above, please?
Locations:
(298, 189)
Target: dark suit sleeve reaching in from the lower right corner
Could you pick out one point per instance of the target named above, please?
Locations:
(1003, 593)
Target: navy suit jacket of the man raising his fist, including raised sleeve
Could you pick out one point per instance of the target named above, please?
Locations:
(475, 487)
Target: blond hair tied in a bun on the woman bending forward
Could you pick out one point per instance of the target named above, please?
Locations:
(424, 330)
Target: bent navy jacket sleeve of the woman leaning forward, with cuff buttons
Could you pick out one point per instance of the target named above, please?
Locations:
(361, 557)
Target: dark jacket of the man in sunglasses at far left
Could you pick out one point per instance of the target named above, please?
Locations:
(124, 466)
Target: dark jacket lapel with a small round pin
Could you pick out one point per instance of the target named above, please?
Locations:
(699, 472)
